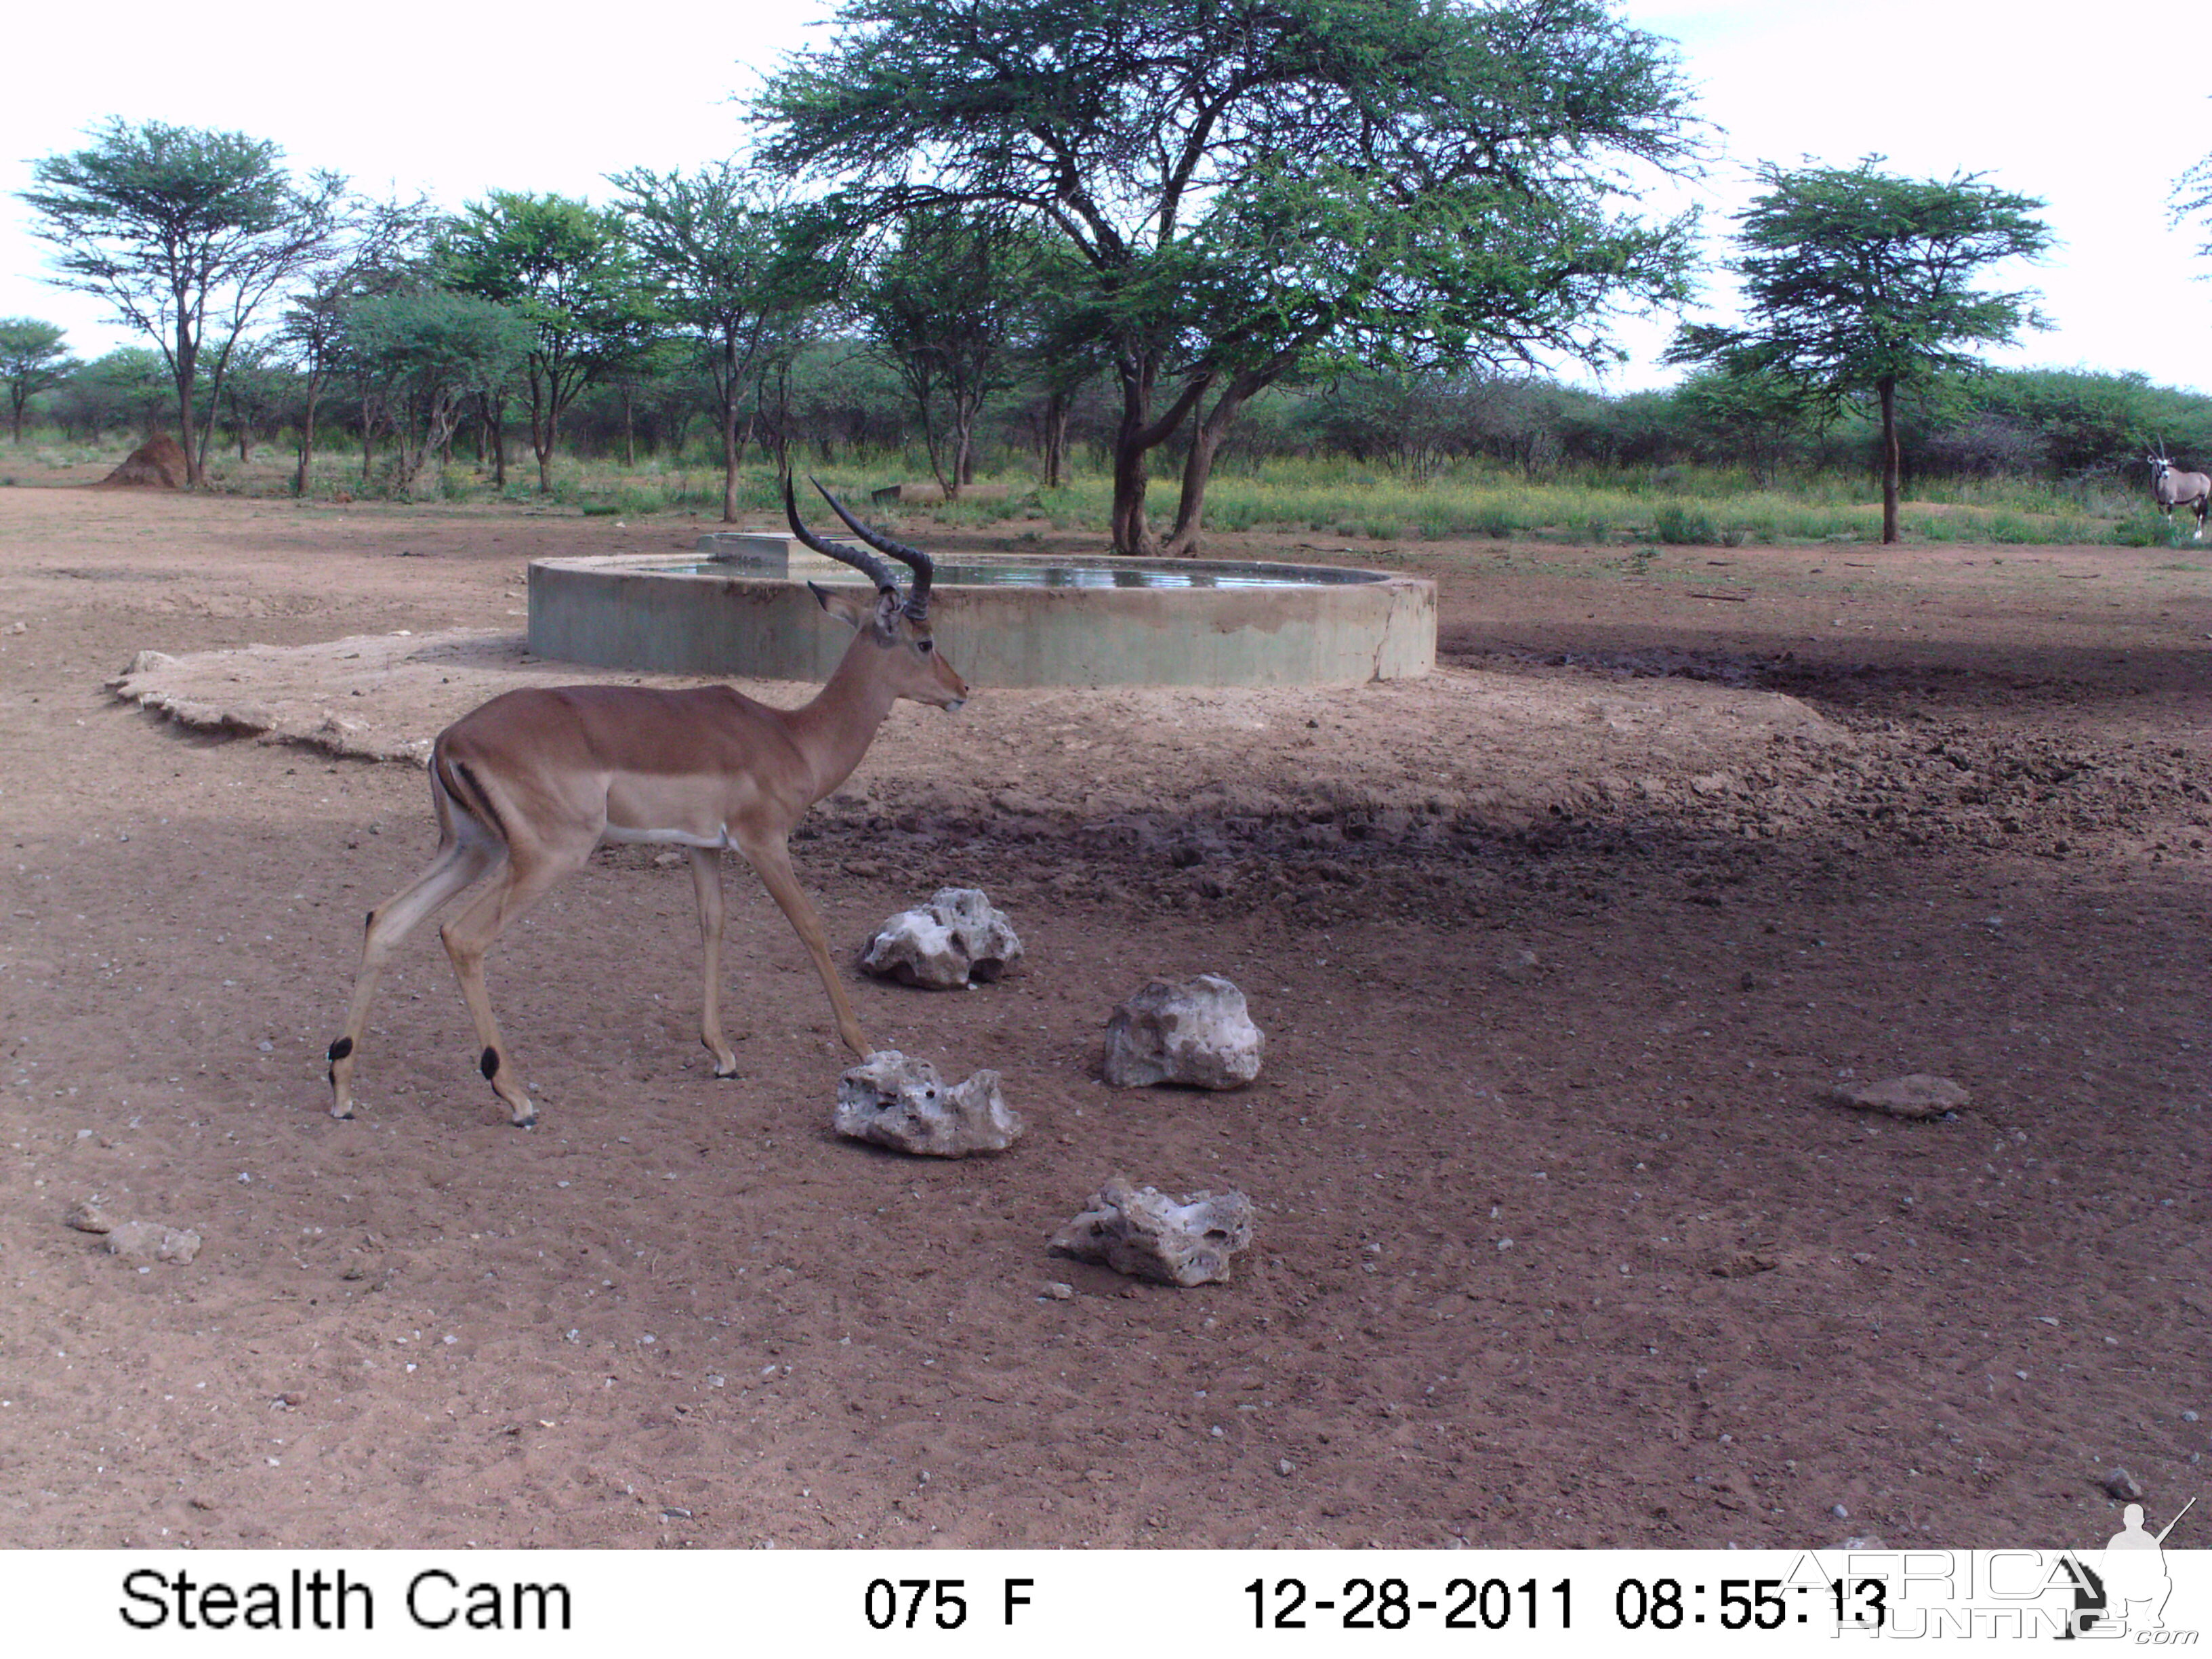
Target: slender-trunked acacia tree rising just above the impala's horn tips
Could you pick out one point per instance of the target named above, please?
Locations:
(735, 262)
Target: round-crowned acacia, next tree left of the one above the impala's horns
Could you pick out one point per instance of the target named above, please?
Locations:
(570, 271)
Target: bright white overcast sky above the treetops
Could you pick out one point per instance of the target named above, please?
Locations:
(457, 101)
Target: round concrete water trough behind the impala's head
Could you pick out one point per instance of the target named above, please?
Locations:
(1023, 623)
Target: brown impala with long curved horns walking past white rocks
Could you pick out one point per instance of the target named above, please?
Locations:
(534, 780)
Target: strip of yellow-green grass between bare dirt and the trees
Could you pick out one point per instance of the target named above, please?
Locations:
(1671, 508)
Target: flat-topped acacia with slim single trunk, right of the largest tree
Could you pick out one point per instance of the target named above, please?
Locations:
(1857, 284)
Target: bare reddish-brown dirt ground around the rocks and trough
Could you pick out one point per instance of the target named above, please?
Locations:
(1558, 954)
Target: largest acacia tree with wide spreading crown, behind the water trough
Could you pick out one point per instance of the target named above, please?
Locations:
(1255, 187)
